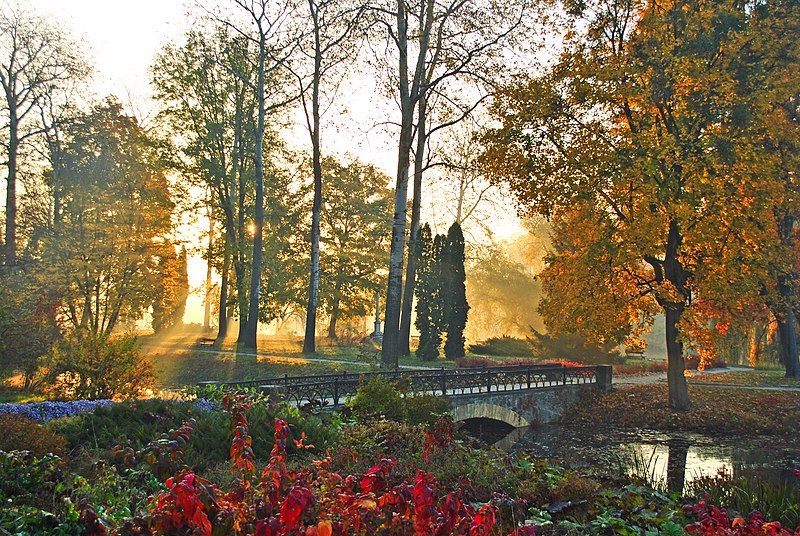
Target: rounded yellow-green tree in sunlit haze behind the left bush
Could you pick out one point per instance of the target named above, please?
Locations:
(116, 221)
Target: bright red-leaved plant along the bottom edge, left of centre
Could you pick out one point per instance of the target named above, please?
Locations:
(310, 502)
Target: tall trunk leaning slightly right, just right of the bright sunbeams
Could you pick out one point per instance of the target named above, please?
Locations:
(258, 239)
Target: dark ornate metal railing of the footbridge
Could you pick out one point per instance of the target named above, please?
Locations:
(334, 388)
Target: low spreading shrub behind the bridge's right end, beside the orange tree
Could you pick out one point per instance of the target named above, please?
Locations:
(573, 347)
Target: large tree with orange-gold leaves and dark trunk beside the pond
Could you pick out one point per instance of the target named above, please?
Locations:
(638, 134)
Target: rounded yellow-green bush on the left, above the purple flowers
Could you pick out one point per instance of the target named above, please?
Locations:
(87, 365)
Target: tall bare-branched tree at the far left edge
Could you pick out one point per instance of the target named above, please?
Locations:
(37, 58)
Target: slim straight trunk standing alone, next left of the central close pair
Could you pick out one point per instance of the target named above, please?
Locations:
(309, 341)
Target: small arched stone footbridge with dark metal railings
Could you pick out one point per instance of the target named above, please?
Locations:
(518, 395)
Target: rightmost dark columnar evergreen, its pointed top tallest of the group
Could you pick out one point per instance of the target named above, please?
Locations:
(454, 292)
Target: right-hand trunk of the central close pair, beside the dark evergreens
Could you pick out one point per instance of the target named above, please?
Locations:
(411, 268)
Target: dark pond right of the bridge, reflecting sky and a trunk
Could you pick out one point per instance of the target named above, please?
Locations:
(671, 458)
